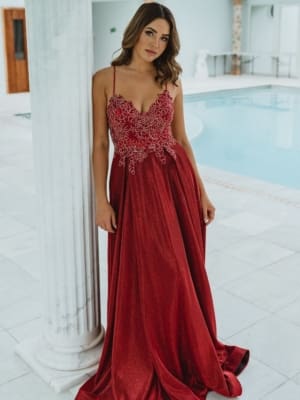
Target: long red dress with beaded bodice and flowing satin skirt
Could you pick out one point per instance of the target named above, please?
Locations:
(161, 341)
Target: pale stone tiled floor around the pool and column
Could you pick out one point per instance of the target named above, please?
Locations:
(253, 261)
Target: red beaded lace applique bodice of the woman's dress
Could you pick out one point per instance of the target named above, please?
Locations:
(135, 134)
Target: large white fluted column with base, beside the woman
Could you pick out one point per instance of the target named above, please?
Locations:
(60, 42)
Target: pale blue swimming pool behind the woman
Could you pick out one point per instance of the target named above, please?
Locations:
(253, 132)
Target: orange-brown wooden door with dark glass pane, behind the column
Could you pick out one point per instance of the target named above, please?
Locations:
(15, 50)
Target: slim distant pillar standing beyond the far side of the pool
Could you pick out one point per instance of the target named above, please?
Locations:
(236, 37)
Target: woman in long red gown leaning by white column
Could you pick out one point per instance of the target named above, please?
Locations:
(160, 341)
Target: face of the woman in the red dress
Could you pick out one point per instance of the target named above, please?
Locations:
(153, 40)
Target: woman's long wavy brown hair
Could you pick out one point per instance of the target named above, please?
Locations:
(167, 68)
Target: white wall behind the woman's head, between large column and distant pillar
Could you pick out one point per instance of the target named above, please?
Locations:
(201, 24)
